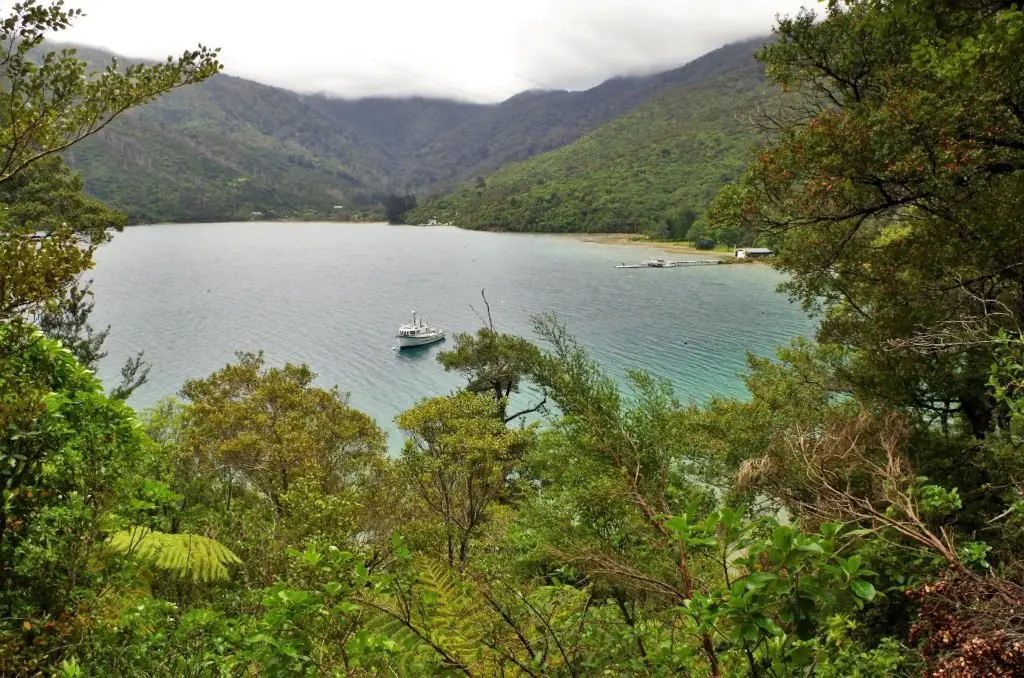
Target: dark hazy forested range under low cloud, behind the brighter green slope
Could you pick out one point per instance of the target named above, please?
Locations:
(232, 147)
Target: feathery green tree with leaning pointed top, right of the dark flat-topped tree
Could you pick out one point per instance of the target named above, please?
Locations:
(615, 471)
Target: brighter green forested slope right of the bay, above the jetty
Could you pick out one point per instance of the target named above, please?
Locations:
(668, 156)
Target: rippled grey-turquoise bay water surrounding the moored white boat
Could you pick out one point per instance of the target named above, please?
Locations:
(333, 295)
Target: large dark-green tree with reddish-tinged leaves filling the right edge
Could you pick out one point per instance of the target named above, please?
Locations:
(892, 190)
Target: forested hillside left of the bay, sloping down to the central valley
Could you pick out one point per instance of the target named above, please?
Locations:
(224, 150)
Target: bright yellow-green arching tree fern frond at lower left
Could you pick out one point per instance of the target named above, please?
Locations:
(189, 557)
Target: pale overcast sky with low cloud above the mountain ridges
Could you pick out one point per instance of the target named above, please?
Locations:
(484, 51)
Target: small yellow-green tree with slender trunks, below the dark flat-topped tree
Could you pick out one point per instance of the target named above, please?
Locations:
(459, 455)
